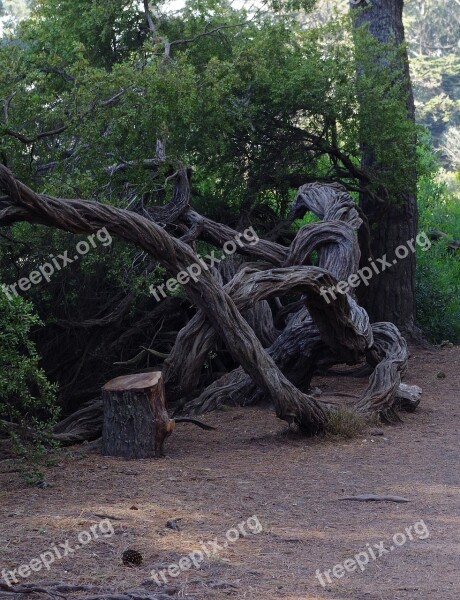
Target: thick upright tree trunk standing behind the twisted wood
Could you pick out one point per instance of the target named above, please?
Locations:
(391, 294)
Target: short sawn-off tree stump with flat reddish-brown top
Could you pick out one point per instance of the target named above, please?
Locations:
(136, 422)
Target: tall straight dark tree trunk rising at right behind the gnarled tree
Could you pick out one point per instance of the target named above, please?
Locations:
(392, 210)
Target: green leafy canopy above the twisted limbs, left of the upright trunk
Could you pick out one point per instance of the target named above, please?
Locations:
(250, 107)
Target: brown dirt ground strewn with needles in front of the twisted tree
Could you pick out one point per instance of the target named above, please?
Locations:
(291, 487)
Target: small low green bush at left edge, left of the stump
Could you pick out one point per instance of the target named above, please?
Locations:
(27, 399)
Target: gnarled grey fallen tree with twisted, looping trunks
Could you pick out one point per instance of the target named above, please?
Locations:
(274, 361)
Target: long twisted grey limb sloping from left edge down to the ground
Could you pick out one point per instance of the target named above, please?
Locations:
(78, 216)
